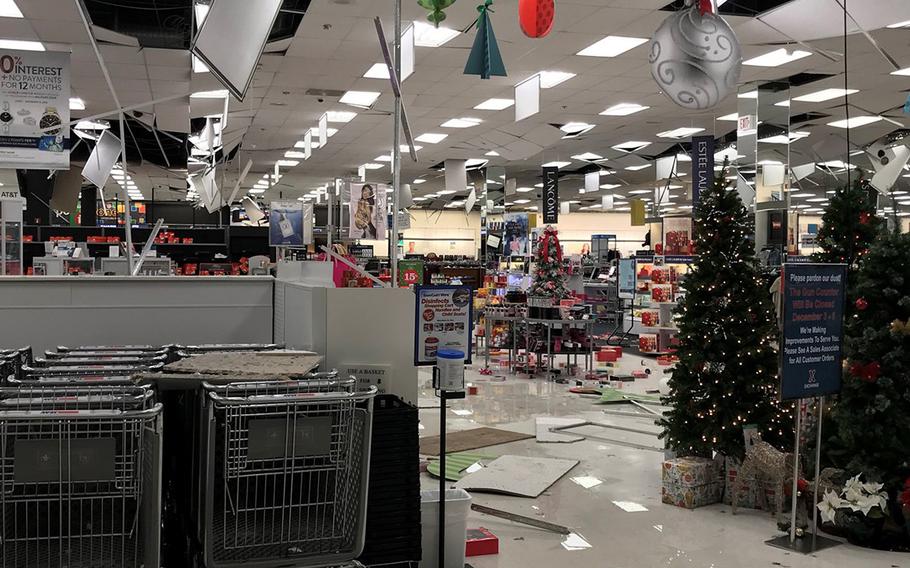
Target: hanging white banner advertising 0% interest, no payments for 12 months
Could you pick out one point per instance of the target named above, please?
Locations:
(34, 109)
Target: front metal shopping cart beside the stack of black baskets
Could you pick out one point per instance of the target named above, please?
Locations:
(284, 476)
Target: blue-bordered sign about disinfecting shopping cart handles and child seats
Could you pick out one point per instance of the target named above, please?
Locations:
(442, 321)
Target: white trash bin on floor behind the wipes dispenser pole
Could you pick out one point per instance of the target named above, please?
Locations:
(458, 502)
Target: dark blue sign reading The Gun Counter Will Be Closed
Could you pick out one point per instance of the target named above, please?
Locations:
(813, 314)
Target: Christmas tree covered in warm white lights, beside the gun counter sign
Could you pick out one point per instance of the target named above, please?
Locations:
(726, 377)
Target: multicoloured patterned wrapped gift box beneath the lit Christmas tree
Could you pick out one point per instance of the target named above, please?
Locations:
(691, 482)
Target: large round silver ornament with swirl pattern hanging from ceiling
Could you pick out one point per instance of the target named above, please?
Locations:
(695, 56)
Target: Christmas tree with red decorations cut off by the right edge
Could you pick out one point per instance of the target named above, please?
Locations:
(872, 416)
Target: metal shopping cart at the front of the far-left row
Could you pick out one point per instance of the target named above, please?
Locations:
(80, 478)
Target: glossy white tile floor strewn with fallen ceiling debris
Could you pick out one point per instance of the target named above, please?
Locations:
(663, 536)
